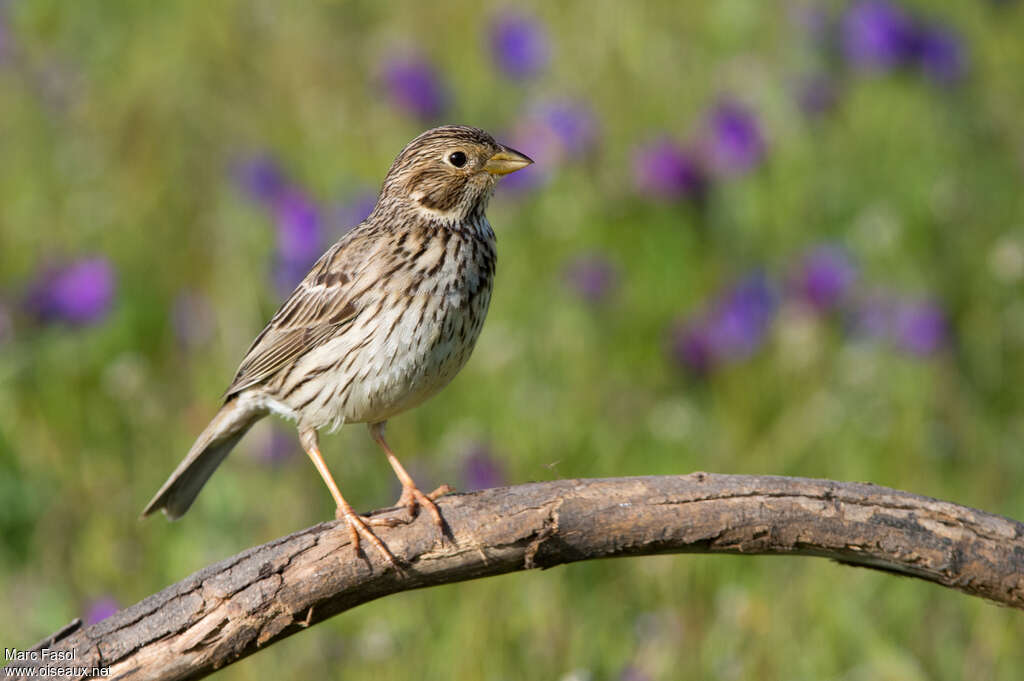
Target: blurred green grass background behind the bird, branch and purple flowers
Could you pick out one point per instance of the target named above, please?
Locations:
(120, 123)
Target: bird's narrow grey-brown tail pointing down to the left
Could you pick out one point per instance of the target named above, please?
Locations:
(225, 432)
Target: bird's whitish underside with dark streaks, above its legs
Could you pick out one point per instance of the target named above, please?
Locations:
(393, 358)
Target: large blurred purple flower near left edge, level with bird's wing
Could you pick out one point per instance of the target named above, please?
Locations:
(79, 293)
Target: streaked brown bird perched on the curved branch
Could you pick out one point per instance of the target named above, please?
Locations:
(383, 321)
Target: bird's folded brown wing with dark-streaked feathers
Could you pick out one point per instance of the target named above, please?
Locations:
(326, 301)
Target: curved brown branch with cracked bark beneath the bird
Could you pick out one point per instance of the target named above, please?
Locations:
(234, 609)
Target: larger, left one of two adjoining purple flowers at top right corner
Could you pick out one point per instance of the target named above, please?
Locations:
(877, 35)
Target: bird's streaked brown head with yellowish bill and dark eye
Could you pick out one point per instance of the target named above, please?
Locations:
(450, 173)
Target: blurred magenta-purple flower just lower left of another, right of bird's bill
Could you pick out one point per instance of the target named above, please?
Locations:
(664, 171)
